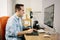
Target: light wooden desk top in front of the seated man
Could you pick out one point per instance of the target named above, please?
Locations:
(41, 37)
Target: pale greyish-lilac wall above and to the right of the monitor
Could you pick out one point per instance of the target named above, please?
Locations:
(47, 3)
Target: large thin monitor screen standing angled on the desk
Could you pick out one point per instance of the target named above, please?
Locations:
(49, 16)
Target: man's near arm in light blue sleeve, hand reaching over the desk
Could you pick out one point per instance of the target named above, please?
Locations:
(11, 29)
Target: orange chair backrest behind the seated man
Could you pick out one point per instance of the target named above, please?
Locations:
(3, 21)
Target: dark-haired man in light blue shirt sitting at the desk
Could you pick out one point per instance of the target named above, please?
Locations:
(14, 27)
